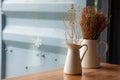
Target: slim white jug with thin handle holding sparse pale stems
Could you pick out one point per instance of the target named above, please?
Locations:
(73, 61)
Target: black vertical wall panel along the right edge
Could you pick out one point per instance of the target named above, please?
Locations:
(114, 55)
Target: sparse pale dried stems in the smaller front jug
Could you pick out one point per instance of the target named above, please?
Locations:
(72, 31)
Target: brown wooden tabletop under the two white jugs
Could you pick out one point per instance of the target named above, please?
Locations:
(105, 72)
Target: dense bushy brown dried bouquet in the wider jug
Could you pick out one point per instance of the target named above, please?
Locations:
(93, 22)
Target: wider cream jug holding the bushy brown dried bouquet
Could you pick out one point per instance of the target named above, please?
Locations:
(92, 58)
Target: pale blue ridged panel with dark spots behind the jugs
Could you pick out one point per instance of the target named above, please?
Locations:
(33, 35)
